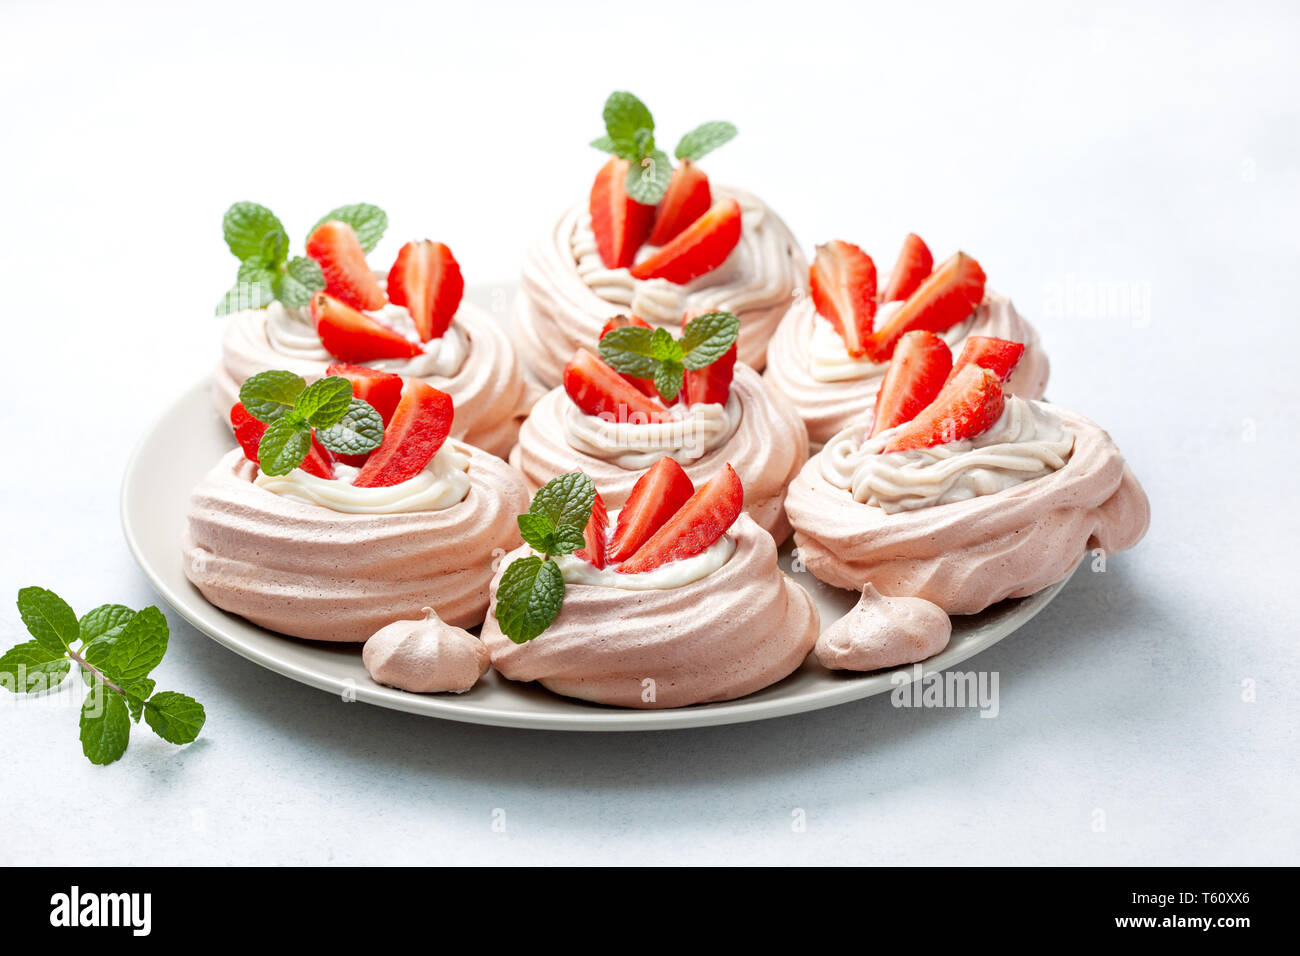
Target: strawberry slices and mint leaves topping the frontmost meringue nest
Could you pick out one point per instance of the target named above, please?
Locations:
(665, 520)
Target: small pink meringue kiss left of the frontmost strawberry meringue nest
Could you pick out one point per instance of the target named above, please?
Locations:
(426, 656)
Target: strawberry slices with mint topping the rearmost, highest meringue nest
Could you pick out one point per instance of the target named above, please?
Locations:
(639, 197)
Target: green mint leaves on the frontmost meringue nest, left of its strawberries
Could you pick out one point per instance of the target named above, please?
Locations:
(532, 590)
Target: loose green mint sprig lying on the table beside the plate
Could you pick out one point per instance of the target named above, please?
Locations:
(115, 650)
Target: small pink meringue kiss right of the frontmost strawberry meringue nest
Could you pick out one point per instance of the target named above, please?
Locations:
(885, 633)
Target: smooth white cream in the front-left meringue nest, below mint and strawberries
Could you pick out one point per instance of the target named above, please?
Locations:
(445, 482)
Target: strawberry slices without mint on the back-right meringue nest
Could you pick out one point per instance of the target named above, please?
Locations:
(843, 280)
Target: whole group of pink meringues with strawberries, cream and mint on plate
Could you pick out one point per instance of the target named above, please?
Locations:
(400, 473)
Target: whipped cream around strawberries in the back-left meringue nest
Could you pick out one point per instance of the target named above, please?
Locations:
(292, 332)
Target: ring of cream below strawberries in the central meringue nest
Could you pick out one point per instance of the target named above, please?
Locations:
(692, 434)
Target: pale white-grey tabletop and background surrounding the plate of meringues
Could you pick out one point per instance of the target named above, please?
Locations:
(1063, 149)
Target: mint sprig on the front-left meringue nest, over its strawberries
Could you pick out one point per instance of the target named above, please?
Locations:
(294, 410)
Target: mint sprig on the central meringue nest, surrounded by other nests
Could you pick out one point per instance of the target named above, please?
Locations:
(656, 354)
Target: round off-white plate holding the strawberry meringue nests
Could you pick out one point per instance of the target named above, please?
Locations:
(190, 438)
